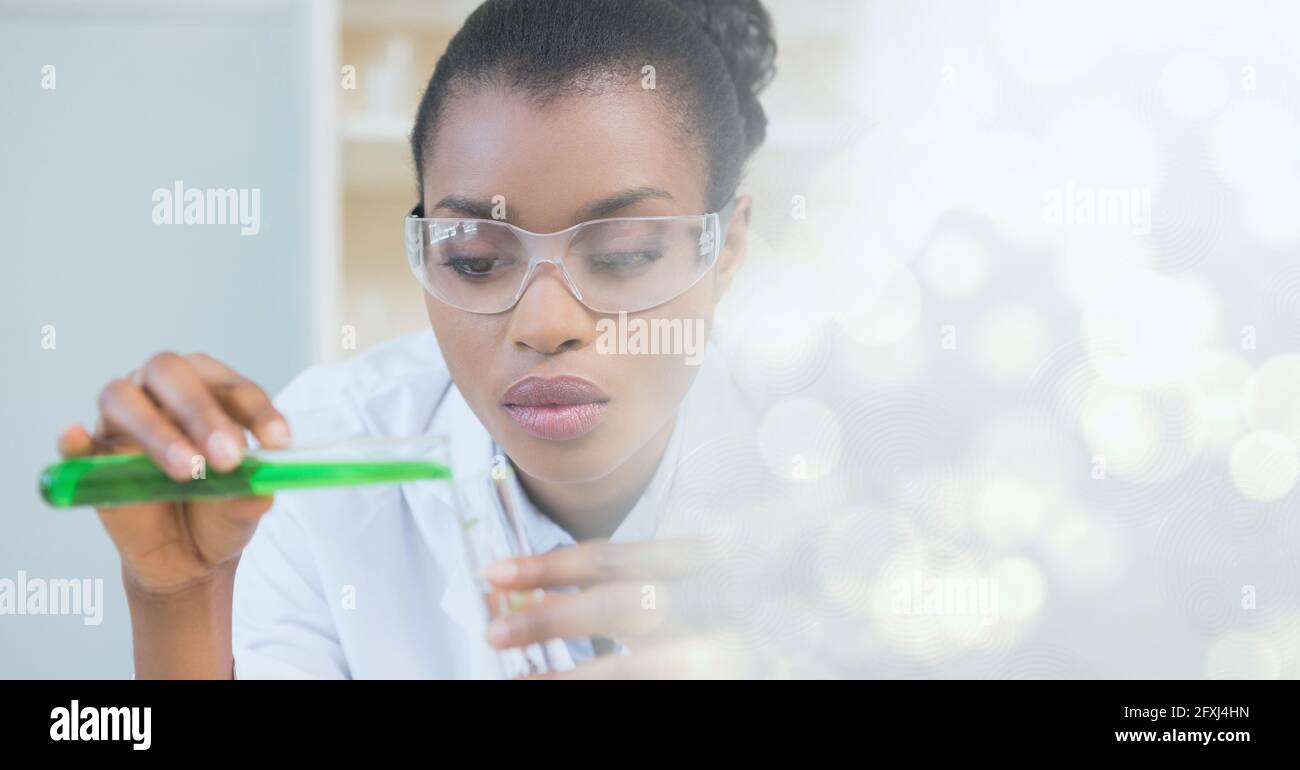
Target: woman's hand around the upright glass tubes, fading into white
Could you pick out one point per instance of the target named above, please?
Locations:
(644, 595)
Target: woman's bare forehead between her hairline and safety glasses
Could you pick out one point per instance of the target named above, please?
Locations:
(551, 161)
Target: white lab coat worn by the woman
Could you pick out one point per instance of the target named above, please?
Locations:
(372, 582)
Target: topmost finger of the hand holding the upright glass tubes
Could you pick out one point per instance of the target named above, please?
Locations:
(599, 561)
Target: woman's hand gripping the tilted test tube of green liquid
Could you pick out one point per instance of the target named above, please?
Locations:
(179, 409)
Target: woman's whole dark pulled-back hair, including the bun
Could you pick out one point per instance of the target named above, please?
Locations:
(712, 59)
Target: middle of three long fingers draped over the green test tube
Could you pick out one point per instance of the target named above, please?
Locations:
(177, 387)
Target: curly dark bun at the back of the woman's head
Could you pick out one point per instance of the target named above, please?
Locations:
(743, 32)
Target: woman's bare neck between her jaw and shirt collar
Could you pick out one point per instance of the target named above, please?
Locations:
(595, 509)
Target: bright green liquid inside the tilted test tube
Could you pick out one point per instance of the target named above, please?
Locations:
(120, 479)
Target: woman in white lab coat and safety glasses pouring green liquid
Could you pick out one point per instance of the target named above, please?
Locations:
(626, 128)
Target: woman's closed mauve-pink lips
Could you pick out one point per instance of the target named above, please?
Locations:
(557, 409)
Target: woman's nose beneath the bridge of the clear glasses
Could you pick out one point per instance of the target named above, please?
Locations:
(548, 318)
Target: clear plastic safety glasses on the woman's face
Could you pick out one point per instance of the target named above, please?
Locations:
(623, 265)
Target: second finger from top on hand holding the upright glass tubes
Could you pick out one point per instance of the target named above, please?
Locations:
(618, 611)
